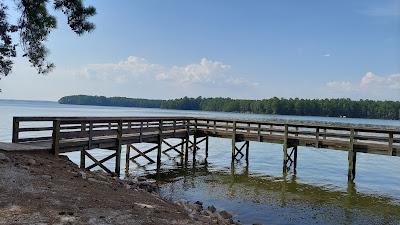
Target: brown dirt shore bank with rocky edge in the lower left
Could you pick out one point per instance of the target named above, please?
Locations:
(37, 188)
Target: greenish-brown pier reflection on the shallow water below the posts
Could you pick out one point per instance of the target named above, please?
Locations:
(238, 184)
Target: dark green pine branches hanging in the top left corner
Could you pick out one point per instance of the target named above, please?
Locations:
(34, 26)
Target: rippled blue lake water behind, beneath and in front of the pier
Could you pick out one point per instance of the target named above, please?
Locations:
(257, 192)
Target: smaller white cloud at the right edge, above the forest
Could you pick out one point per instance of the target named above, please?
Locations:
(370, 84)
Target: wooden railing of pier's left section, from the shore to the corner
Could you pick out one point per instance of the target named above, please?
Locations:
(70, 133)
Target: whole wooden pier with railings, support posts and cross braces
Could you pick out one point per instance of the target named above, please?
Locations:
(65, 134)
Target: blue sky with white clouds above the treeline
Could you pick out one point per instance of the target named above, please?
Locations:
(240, 49)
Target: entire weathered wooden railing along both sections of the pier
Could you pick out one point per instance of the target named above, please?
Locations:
(69, 132)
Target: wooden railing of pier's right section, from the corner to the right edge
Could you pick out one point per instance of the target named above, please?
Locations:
(376, 140)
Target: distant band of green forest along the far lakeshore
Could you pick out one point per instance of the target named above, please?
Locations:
(293, 106)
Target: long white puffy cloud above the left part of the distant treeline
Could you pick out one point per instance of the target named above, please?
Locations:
(205, 72)
